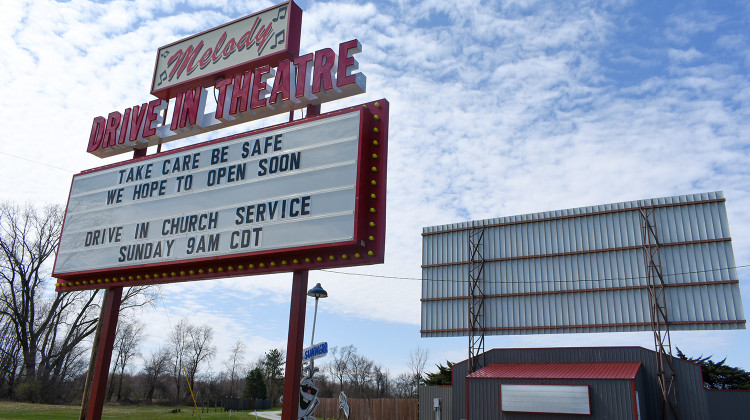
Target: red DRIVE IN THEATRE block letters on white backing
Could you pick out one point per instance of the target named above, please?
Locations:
(265, 91)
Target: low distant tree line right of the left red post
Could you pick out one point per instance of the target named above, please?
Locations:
(164, 379)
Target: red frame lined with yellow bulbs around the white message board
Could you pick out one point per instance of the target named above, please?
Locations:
(367, 246)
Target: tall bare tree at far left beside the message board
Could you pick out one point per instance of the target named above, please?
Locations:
(49, 327)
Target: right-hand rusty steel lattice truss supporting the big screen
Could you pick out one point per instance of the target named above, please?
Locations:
(659, 318)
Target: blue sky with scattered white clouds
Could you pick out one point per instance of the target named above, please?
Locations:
(497, 108)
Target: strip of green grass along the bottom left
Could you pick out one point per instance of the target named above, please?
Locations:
(14, 410)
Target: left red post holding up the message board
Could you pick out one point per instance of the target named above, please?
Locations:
(112, 299)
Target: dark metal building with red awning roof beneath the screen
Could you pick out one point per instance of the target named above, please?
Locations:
(566, 383)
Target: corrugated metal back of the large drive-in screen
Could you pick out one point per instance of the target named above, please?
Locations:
(583, 270)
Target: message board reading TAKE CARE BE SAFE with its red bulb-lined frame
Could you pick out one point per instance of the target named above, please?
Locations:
(309, 194)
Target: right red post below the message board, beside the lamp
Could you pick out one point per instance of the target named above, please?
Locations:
(293, 370)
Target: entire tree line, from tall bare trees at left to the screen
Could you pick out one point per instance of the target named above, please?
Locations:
(45, 339)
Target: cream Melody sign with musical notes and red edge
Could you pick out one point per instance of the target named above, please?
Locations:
(264, 38)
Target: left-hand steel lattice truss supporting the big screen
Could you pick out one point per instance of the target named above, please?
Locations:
(476, 298)
